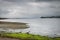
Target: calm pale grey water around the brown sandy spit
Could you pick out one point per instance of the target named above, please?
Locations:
(47, 26)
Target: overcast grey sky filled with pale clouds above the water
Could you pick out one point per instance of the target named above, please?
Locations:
(29, 8)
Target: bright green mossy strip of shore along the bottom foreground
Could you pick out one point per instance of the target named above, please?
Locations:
(25, 36)
